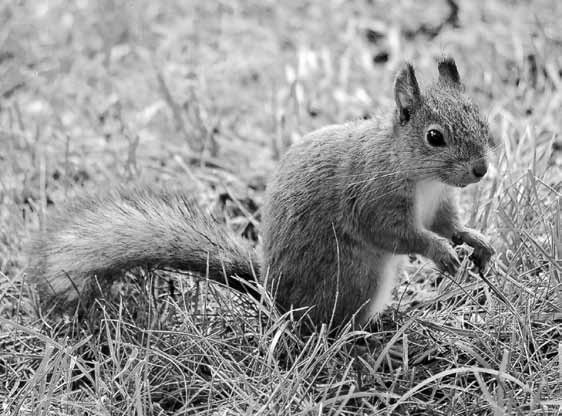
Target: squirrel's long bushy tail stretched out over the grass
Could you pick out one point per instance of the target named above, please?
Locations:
(104, 235)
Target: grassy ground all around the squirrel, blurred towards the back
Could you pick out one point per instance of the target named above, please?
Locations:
(206, 96)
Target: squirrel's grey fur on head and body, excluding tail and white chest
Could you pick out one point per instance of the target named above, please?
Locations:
(342, 200)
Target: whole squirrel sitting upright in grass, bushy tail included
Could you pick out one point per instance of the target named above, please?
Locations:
(345, 206)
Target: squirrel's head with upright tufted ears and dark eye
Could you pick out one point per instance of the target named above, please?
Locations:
(441, 128)
